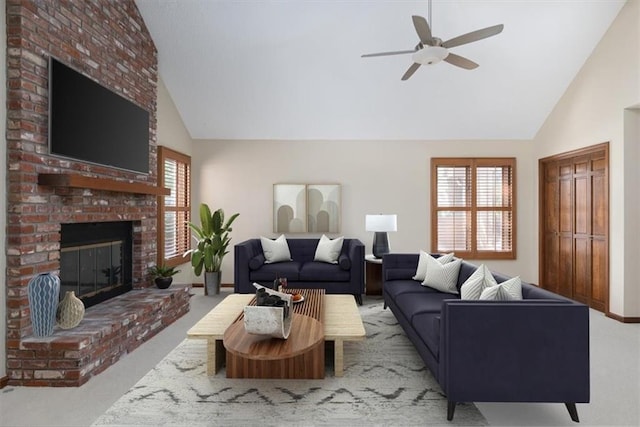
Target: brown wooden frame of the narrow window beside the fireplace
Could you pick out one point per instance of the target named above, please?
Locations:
(165, 153)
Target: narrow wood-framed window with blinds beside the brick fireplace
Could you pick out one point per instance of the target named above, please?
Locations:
(174, 171)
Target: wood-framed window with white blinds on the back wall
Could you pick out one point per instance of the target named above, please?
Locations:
(473, 207)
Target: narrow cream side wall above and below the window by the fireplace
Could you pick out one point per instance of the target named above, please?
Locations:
(172, 133)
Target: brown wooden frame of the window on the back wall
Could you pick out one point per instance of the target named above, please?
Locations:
(473, 209)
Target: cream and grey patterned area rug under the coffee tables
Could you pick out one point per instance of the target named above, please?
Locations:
(385, 383)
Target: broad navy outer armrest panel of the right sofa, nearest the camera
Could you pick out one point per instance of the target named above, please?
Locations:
(527, 351)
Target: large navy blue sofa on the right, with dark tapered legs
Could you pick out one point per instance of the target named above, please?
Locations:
(534, 350)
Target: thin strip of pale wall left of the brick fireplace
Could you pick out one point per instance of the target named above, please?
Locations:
(3, 190)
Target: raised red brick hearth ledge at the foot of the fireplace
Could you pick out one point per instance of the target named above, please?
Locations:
(108, 331)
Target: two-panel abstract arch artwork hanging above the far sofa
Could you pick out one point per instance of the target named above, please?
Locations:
(301, 208)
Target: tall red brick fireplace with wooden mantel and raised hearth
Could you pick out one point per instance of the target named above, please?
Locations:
(109, 42)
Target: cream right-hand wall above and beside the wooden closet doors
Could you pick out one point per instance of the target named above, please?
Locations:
(592, 111)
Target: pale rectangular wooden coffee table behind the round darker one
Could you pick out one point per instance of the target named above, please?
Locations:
(341, 322)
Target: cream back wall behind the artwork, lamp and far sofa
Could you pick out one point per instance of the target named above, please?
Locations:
(376, 177)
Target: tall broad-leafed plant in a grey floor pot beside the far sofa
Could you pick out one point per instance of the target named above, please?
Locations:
(212, 239)
